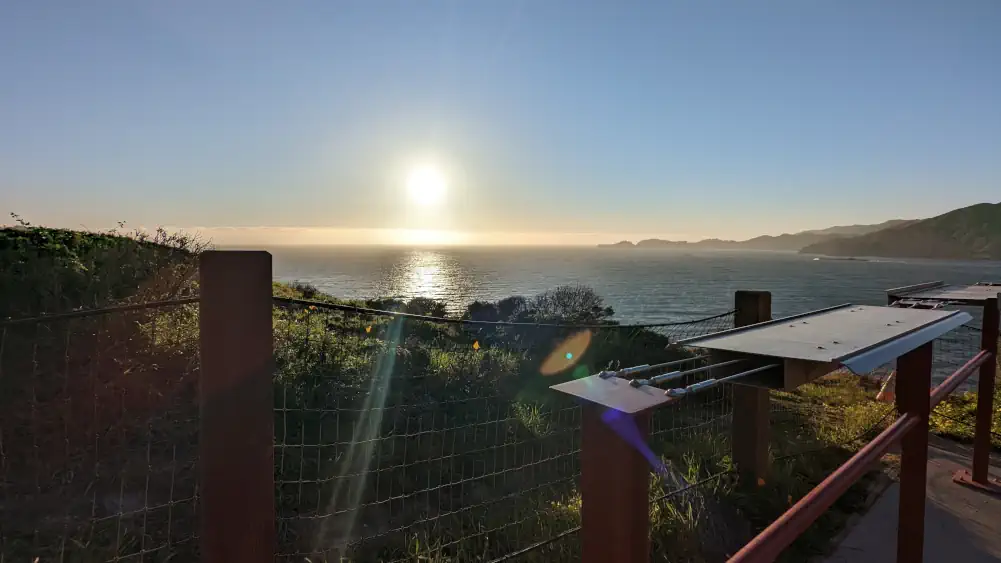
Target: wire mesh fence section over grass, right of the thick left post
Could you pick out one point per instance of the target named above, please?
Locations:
(400, 438)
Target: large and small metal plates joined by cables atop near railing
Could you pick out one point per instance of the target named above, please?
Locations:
(784, 353)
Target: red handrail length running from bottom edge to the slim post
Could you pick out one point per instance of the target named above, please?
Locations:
(777, 537)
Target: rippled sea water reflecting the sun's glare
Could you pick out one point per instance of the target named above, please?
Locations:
(648, 286)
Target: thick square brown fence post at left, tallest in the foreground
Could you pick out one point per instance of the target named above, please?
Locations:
(237, 440)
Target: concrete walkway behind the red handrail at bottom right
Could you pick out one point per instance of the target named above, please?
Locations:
(961, 524)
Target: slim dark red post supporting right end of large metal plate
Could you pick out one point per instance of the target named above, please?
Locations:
(914, 380)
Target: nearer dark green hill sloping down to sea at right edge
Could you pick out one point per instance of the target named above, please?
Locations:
(972, 233)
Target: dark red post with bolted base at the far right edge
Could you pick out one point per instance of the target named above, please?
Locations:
(985, 395)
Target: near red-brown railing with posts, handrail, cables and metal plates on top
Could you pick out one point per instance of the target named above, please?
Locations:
(615, 474)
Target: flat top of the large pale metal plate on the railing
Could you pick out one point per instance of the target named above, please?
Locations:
(825, 337)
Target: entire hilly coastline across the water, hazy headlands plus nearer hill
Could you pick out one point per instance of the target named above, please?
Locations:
(972, 233)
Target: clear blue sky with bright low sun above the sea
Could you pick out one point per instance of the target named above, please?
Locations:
(540, 122)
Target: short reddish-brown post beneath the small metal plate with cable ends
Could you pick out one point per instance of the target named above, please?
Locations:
(615, 489)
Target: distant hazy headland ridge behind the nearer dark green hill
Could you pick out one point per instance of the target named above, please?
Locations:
(789, 242)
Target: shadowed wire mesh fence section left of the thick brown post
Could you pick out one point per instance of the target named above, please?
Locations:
(99, 436)
